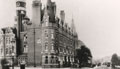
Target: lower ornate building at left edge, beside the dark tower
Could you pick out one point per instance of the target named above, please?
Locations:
(7, 43)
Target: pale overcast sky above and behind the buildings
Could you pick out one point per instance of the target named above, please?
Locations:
(97, 22)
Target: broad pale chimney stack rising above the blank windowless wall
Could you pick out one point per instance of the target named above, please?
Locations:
(36, 13)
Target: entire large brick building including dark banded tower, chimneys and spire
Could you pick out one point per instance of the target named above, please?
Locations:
(46, 40)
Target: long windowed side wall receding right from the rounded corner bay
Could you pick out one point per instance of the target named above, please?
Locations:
(66, 45)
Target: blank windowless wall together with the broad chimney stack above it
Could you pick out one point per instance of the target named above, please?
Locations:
(34, 36)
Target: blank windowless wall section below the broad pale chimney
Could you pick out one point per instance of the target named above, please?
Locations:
(34, 46)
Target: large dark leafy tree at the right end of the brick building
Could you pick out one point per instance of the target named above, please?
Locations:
(84, 56)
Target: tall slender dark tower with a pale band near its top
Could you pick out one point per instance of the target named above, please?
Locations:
(21, 13)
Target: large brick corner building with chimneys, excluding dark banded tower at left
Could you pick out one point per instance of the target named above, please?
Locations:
(50, 42)
